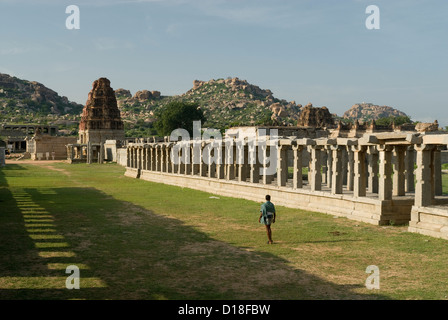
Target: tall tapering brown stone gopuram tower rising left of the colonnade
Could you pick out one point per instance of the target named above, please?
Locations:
(101, 120)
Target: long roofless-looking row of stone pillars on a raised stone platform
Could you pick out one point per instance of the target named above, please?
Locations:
(369, 178)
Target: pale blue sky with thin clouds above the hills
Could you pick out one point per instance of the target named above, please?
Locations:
(317, 51)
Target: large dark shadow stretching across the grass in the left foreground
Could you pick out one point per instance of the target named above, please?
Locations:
(128, 252)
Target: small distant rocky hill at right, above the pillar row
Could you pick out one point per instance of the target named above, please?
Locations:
(369, 111)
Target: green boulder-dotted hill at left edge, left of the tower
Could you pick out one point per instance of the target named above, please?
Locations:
(22, 101)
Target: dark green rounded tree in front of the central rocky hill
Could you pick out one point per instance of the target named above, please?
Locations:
(177, 115)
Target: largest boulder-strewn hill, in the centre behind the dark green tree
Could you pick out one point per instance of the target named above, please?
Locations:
(225, 102)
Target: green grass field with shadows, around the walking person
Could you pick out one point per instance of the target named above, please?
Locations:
(135, 239)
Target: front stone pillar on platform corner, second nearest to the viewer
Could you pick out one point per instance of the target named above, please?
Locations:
(385, 171)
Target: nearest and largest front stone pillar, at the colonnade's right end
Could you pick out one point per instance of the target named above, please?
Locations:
(423, 189)
